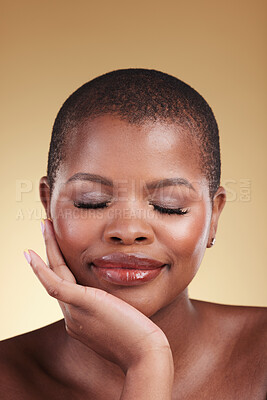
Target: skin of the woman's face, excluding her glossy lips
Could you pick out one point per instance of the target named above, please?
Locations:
(132, 157)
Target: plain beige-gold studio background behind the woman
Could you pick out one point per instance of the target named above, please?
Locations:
(50, 48)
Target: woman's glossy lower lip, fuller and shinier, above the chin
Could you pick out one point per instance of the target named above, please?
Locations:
(127, 276)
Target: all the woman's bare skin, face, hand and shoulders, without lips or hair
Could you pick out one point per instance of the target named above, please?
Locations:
(140, 342)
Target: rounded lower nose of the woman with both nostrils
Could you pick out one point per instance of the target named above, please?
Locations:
(128, 232)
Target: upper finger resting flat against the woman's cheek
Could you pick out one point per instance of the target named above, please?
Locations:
(54, 255)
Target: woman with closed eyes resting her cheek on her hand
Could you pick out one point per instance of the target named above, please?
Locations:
(133, 198)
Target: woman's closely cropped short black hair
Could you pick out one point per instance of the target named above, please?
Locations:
(138, 95)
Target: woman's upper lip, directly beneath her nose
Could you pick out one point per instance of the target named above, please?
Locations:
(127, 260)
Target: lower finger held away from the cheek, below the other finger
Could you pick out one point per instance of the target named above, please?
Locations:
(60, 288)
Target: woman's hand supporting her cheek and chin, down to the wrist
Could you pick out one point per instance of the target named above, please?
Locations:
(108, 325)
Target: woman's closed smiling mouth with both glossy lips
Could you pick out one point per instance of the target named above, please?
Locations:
(127, 269)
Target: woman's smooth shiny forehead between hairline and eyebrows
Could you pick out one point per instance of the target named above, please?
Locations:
(108, 145)
